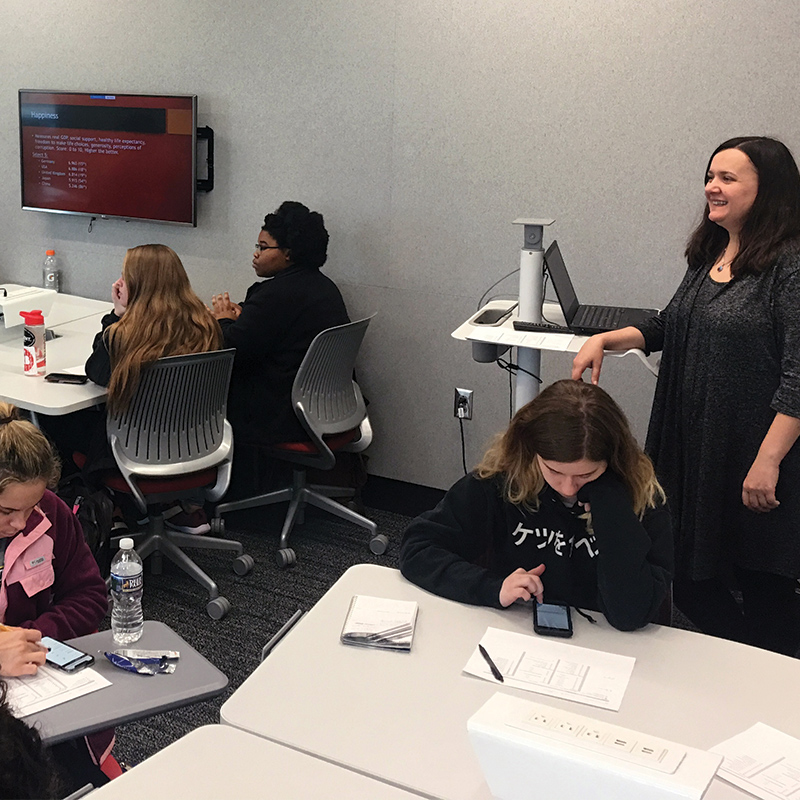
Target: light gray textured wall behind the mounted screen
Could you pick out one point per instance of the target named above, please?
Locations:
(421, 130)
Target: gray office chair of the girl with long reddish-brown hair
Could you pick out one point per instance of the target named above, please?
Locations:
(171, 441)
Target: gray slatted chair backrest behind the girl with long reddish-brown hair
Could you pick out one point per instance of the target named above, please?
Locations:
(177, 414)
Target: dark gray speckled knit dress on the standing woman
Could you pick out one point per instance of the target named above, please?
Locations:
(731, 359)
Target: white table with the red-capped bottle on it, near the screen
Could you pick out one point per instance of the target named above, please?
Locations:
(75, 321)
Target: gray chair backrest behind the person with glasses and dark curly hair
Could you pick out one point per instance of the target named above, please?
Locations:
(325, 397)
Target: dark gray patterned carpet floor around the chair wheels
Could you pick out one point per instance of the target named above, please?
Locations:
(262, 601)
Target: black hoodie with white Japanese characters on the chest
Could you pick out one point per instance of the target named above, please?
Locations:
(474, 539)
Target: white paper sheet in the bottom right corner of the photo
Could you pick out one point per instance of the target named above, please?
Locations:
(763, 761)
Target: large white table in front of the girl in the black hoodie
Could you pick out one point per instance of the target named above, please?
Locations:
(402, 717)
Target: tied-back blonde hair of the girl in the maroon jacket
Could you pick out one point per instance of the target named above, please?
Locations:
(25, 452)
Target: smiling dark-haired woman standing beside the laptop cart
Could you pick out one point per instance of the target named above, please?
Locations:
(726, 412)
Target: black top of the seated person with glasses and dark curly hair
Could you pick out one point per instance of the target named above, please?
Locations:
(280, 318)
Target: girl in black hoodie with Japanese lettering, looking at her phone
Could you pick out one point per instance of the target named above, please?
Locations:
(564, 507)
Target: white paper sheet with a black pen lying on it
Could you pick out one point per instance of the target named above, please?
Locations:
(541, 665)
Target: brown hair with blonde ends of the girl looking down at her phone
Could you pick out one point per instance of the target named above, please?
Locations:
(569, 421)
